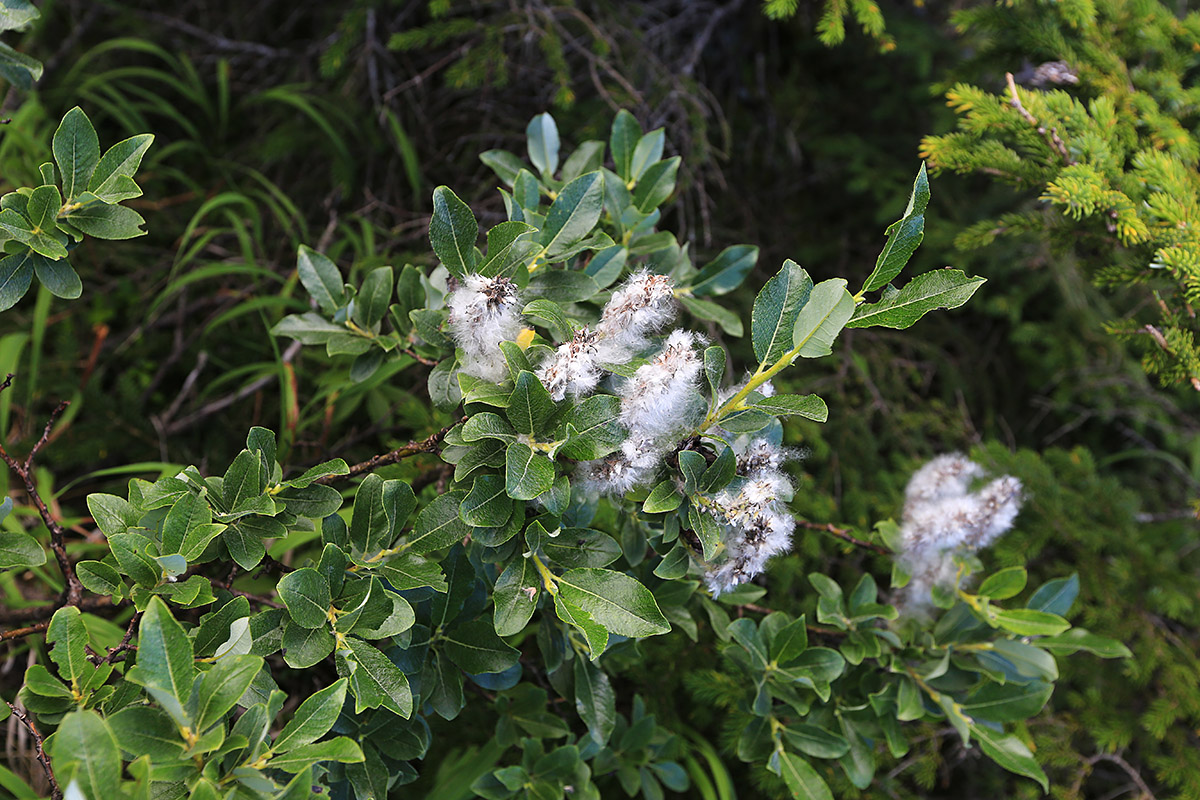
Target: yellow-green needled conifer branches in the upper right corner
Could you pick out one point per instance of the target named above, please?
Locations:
(1106, 130)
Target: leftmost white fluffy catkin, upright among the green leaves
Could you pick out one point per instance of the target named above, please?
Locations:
(484, 312)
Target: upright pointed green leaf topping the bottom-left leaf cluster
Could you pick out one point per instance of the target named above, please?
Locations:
(165, 664)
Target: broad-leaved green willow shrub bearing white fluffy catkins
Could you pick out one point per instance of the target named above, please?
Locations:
(608, 480)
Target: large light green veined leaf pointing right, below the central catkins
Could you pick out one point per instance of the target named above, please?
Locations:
(615, 600)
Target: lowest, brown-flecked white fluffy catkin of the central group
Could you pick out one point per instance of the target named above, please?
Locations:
(754, 516)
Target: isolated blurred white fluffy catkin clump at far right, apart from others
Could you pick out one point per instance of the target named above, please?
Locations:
(943, 516)
